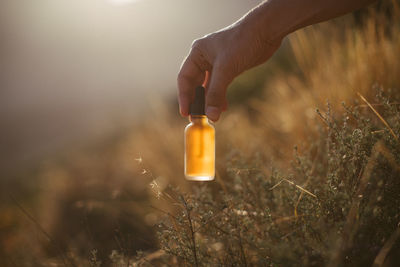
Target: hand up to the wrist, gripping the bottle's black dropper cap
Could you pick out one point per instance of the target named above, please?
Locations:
(216, 59)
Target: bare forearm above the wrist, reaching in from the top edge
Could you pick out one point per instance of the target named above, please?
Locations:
(274, 19)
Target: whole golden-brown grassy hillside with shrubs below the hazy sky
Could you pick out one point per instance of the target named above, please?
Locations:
(308, 168)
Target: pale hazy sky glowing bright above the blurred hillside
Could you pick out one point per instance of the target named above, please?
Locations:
(70, 68)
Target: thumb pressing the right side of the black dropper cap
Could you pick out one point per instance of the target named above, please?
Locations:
(216, 93)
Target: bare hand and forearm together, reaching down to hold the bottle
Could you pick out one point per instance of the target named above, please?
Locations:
(219, 57)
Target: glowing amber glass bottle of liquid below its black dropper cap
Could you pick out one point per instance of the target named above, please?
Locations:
(199, 149)
